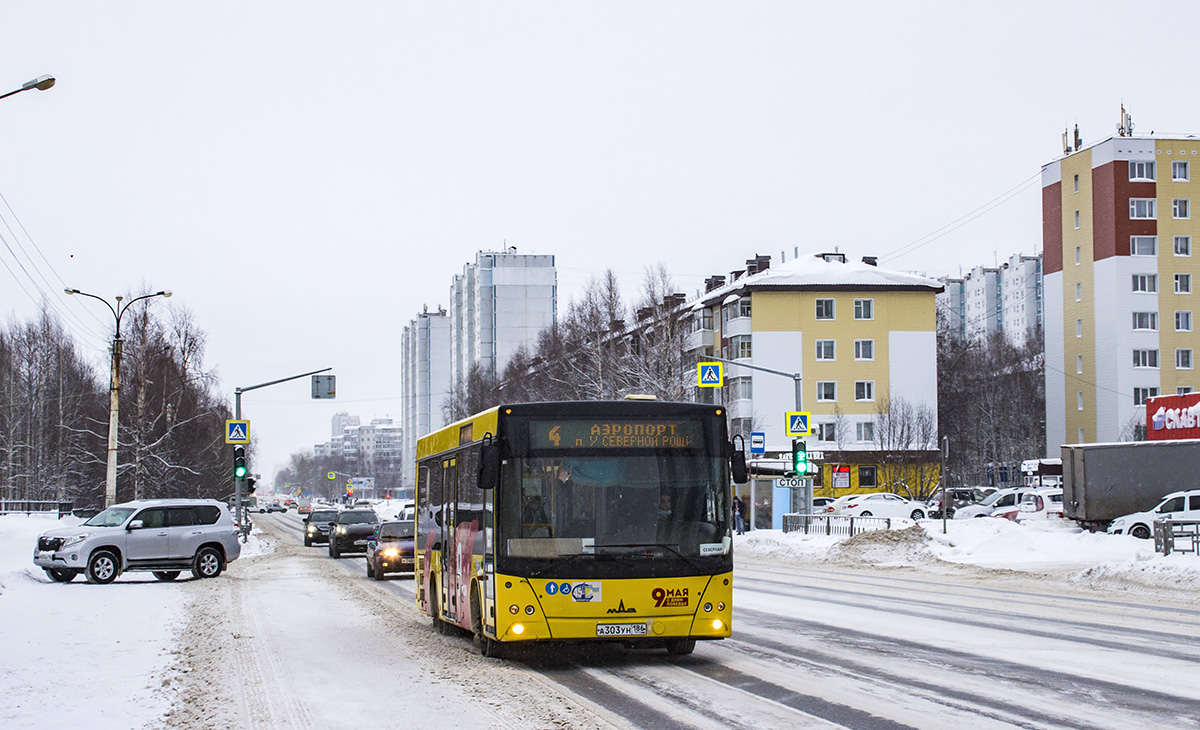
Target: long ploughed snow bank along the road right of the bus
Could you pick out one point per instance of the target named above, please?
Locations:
(1052, 548)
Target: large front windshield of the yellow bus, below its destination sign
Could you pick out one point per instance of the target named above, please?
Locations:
(647, 506)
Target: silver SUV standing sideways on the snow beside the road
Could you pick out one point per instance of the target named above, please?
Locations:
(163, 536)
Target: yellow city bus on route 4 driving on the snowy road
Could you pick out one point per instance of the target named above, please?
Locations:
(579, 522)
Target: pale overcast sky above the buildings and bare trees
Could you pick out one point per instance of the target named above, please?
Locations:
(305, 177)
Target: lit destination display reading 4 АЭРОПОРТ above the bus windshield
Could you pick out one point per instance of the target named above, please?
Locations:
(609, 434)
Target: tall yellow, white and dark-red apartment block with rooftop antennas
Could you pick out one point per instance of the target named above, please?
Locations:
(1120, 277)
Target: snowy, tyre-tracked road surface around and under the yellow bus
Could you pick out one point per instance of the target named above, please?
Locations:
(316, 644)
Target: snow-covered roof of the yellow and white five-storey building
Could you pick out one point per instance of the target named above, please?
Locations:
(815, 272)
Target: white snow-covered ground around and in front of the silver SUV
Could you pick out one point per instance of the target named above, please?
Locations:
(77, 655)
